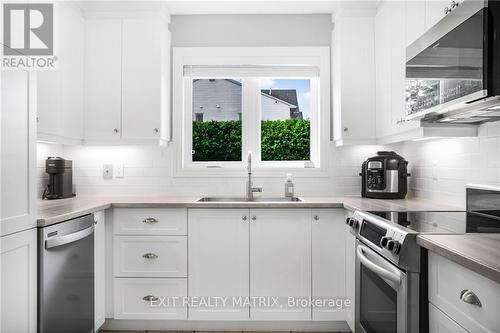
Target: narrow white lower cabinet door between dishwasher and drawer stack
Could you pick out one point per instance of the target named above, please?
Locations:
(99, 271)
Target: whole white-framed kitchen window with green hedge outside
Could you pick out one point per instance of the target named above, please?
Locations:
(232, 104)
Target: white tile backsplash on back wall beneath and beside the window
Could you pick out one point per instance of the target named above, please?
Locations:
(149, 170)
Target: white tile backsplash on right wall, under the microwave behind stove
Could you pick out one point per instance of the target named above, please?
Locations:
(441, 168)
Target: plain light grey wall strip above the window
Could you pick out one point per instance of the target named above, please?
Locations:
(251, 30)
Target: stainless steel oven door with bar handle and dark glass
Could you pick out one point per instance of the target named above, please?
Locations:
(382, 304)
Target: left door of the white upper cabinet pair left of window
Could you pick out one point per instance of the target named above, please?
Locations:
(103, 79)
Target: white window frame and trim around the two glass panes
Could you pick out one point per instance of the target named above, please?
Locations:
(251, 131)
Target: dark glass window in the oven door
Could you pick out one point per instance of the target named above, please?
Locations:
(378, 303)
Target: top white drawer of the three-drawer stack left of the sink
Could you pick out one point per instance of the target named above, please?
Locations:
(150, 221)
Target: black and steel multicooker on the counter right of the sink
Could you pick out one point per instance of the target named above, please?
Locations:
(384, 176)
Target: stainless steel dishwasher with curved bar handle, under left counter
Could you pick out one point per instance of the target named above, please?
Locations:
(66, 276)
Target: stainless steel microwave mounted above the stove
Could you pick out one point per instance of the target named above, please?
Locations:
(453, 69)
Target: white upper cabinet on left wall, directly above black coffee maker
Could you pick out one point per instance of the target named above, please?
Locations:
(60, 91)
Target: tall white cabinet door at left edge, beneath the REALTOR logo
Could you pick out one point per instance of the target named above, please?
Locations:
(18, 159)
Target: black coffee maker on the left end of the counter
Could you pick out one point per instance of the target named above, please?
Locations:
(60, 183)
